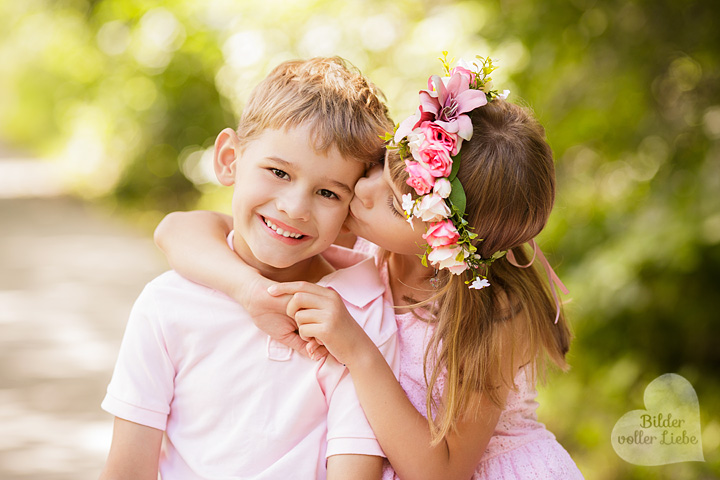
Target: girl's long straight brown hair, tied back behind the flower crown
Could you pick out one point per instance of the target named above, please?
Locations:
(508, 175)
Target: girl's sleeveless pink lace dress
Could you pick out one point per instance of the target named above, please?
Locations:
(521, 448)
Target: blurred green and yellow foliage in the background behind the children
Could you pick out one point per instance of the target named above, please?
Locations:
(128, 95)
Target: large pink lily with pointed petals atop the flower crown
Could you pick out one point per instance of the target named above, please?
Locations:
(447, 104)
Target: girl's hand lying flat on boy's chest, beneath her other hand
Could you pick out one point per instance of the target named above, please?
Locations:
(269, 315)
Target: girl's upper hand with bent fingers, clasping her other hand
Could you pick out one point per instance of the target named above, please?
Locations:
(321, 314)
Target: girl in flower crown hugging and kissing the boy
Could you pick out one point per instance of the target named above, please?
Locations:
(472, 178)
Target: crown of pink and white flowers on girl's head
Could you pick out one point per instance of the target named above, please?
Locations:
(433, 138)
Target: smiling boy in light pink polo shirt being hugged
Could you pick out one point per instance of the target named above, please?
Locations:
(231, 402)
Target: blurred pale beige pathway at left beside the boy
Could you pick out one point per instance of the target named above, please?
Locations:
(69, 274)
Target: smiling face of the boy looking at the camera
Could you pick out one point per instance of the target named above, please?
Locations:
(289, 201)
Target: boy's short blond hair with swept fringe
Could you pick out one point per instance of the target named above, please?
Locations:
(343, 108)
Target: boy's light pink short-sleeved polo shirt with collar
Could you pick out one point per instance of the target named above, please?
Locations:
(233, 403)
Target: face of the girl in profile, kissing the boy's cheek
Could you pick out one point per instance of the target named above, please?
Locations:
(376, 215)
